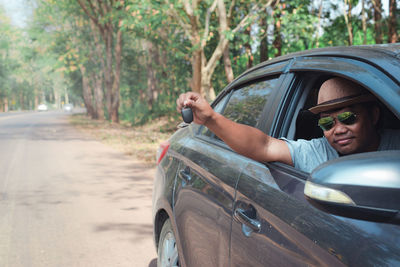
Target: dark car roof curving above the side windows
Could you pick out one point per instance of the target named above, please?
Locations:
(384, 56)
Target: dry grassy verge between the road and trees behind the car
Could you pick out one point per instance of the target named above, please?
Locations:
(140, 142)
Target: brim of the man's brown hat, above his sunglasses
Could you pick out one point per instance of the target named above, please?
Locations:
(341, 103)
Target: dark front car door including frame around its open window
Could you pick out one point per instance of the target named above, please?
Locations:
(274, 224)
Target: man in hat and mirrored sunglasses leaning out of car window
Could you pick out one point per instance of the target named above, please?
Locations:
(349, 124)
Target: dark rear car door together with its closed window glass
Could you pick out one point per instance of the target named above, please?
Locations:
(207, 178)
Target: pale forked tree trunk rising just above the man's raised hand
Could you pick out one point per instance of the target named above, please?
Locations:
(196, 23)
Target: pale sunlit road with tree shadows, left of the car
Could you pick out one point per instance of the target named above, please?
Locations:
(68, 200)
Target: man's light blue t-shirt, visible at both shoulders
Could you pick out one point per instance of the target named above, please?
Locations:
(309, 154)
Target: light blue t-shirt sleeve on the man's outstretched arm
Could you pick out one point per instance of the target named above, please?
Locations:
(309, 154)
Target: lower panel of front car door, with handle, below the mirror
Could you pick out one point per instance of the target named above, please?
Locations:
(274, 225)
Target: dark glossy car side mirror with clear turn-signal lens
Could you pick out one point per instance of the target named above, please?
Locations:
(363, 186)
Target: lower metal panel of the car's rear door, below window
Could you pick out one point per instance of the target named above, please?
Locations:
(205, 200)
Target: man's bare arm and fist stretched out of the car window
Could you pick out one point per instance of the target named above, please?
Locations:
(245, 140)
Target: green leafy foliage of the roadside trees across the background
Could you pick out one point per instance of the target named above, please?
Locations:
(43, 61)
